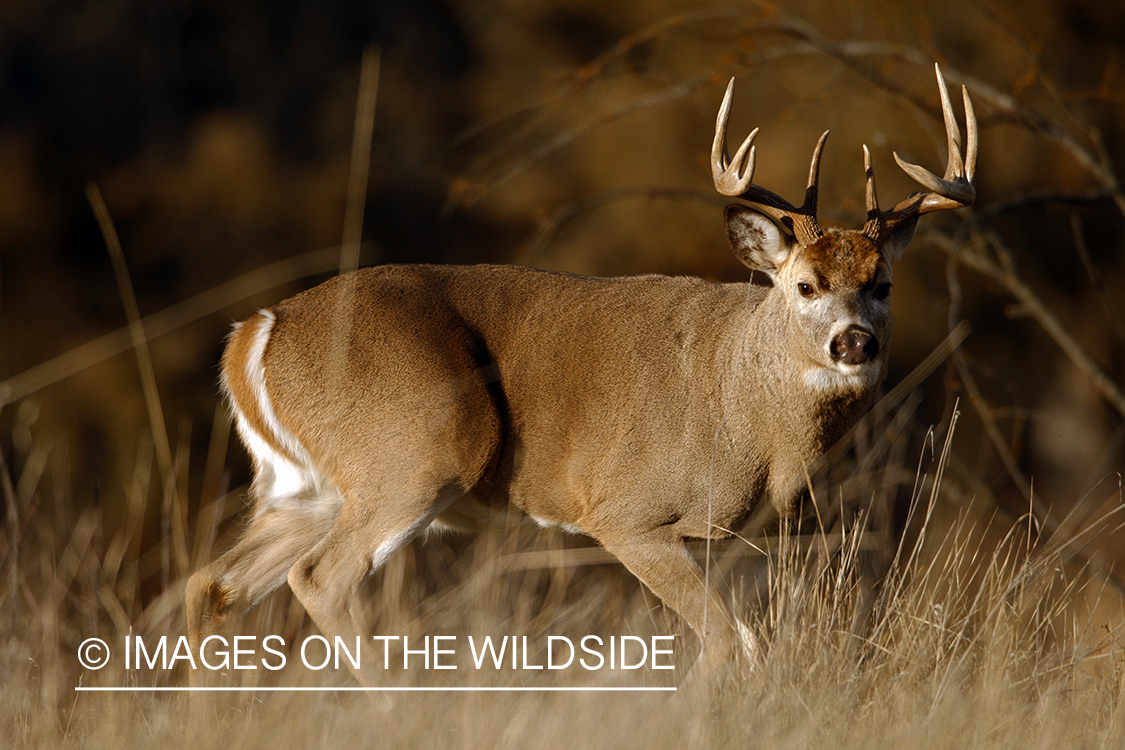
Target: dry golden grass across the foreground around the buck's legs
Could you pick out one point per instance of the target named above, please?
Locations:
(966, 645)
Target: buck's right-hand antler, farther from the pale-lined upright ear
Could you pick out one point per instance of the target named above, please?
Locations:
(953, 191)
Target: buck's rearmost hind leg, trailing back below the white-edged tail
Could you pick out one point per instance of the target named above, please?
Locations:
(222, 593)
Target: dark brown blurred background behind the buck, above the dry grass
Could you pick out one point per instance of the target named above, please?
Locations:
(563, 134)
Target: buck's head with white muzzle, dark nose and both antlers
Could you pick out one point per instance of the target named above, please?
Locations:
(834, 286)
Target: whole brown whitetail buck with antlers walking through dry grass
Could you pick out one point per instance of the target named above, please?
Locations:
(643, 412)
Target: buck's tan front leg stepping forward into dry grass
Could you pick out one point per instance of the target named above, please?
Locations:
(663, 564)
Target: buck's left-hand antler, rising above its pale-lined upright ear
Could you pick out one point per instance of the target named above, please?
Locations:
(733, 178)
